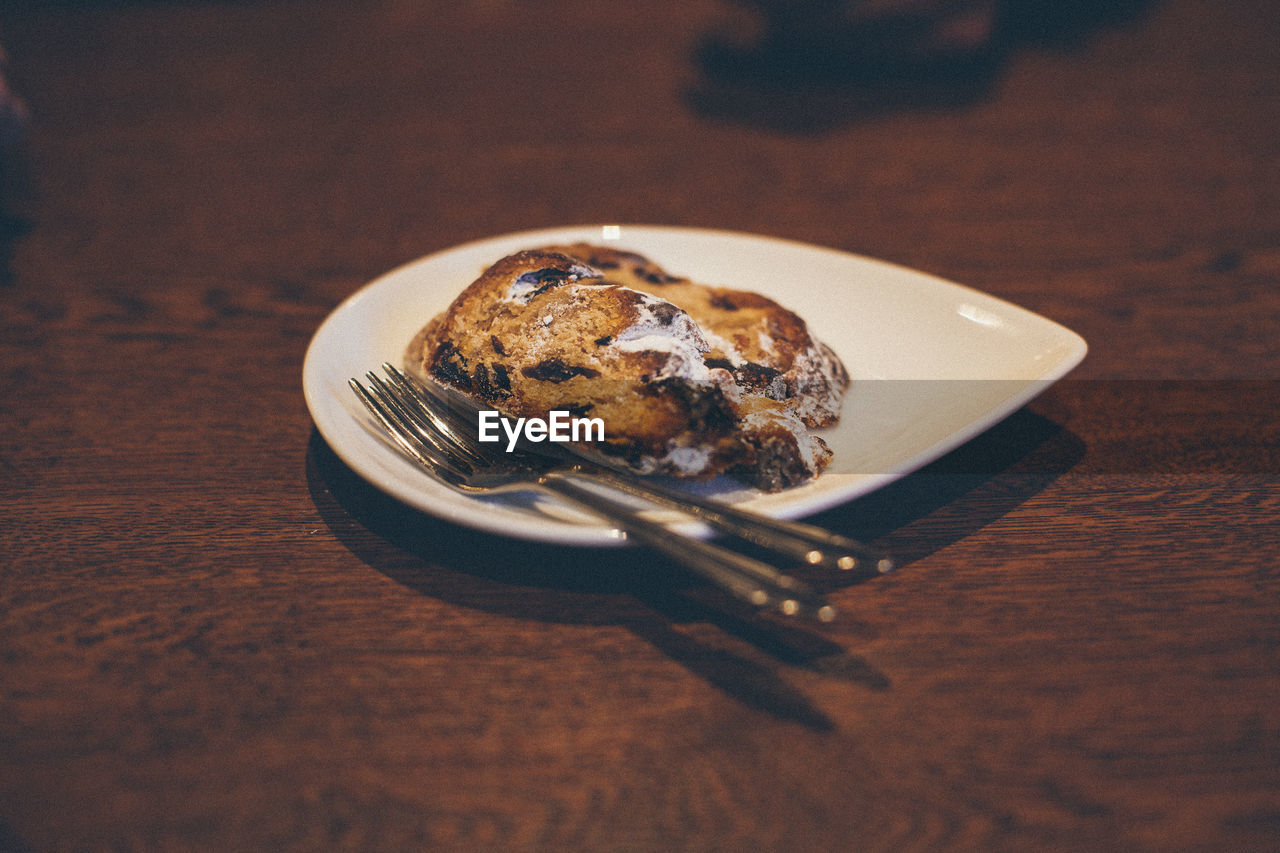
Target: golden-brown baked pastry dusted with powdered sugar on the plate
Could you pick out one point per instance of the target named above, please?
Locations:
(542, 331)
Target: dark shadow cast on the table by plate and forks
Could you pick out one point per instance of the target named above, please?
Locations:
(656, 600)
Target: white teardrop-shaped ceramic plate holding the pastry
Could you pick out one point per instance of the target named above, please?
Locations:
(934, 364)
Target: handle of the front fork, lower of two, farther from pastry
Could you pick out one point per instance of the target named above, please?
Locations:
(748, 580)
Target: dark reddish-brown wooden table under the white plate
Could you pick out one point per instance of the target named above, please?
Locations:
(216, 637)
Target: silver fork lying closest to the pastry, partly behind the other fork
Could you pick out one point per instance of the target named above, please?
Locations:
(790, 540)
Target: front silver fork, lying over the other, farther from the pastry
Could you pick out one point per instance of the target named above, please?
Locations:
(426, 436)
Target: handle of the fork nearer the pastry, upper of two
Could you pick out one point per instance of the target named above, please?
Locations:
(803, 542)
